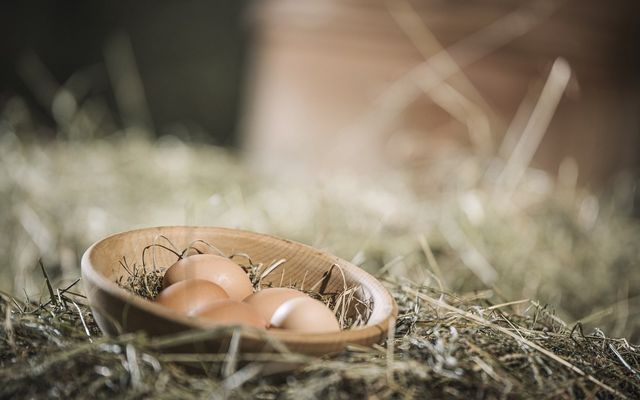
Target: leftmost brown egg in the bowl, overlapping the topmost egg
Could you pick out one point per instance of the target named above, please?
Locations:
(191, 294)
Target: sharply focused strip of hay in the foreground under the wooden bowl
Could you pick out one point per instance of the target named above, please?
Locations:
(441, 346)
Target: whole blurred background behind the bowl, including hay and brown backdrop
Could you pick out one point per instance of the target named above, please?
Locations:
(483, 147)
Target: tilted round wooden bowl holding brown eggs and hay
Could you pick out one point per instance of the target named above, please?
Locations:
(117, 310)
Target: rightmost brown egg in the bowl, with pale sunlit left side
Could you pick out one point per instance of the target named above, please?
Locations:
(304, 314)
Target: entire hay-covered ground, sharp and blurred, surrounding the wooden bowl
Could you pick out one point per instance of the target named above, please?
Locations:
(501, 295)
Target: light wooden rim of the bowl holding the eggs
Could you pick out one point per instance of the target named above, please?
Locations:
(387, 316)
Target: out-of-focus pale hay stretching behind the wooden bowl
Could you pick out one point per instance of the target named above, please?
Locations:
(551, 242)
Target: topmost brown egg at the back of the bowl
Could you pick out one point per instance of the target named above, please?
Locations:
(217, 269)
